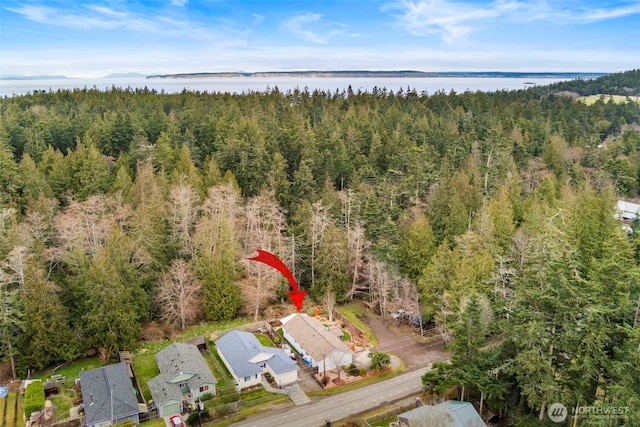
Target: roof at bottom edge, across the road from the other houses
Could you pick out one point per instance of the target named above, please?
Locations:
(447, 414)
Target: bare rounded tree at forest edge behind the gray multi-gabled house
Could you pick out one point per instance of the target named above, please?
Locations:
(178, 295)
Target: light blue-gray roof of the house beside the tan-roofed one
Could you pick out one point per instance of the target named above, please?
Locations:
(244, 353)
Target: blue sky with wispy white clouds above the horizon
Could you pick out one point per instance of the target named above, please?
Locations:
(96, 38)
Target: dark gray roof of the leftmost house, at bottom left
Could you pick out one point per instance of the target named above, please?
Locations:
(97, 388)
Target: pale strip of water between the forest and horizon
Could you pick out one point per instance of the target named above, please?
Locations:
(429, 85)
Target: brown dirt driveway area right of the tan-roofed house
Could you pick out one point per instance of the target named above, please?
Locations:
(404, 342)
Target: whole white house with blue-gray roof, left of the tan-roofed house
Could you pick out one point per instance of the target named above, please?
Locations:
(247, 360)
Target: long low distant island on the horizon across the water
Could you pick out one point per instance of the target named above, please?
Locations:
(385, 74)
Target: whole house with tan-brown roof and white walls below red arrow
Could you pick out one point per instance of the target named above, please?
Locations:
(315, 343)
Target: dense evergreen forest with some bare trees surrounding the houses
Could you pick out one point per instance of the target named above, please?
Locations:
(125, 212)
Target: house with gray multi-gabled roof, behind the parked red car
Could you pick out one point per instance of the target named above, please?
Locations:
(184, 377)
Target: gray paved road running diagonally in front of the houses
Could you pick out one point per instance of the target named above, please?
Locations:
(342, 405)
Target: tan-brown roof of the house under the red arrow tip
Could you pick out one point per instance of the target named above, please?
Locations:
(312, 336)
